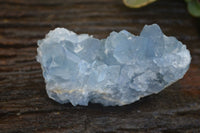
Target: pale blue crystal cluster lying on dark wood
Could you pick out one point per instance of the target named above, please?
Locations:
(117, 70)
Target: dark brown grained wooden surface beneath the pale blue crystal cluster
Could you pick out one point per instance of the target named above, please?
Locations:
(24, 104)
